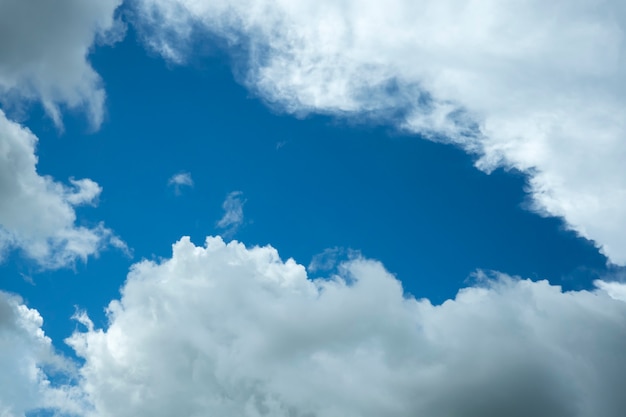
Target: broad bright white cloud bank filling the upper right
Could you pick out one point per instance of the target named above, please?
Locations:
(520, 85)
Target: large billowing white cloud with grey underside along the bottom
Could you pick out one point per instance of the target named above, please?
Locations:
(226, 330)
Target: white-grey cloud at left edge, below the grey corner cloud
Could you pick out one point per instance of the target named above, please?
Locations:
(37, 214)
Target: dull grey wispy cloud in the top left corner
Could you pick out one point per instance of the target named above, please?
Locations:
(43, 53)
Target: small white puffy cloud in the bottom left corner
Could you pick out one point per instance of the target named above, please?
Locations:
(27, 358)
